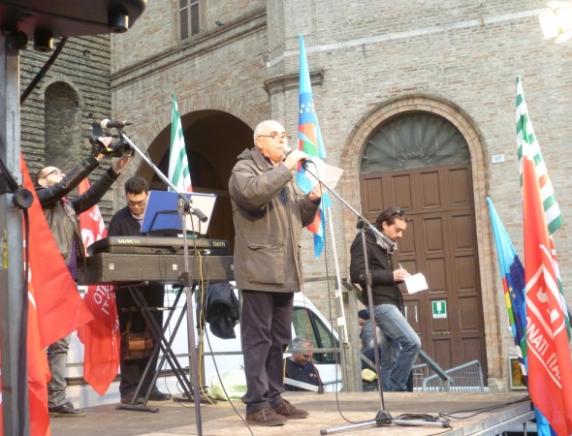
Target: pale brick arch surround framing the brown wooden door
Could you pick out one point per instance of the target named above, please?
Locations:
(351, 159)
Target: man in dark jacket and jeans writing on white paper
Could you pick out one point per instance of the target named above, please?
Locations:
(387, 298)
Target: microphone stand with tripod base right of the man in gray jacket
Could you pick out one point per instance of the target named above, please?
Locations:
(383, 417)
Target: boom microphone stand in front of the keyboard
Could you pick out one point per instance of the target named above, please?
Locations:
(185, 208)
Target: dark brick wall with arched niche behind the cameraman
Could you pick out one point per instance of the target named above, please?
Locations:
(80, 73)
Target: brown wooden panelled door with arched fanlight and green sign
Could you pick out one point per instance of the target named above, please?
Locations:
(420, 161)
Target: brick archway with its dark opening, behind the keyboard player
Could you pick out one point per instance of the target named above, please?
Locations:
(211, 124)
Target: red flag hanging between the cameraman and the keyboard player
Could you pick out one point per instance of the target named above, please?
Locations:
(101, 336)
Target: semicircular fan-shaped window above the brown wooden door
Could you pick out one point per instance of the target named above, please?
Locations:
(414, 140)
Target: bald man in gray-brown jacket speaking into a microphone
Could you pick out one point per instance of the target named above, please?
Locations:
(269, 212)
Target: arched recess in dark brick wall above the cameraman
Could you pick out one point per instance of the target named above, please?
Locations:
(62, 132)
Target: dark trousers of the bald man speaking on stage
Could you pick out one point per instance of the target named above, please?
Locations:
(266, 330)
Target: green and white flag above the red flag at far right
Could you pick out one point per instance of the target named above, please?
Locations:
(525, 134)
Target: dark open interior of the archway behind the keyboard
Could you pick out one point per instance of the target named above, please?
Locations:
(213, 140)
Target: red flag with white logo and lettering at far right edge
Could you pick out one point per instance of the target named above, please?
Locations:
(549, 361)
